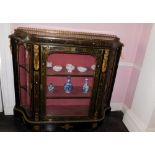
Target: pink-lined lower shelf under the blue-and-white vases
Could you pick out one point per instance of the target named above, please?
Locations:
(76, 93)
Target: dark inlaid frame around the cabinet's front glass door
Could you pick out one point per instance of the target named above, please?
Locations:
(49, 49)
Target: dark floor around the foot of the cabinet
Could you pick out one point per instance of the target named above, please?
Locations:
(112, 123)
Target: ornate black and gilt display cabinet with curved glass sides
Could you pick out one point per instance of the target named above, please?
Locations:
(63, 78)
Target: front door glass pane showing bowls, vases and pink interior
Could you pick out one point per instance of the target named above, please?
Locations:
(69, 83)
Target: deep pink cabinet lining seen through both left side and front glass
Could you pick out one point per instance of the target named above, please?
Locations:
(57, 59)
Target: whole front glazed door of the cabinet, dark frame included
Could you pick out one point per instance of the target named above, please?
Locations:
(69, 82)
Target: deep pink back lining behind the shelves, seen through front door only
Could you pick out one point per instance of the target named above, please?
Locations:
(76, 60)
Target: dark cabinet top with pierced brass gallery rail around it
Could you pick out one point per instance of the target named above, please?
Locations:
(65, 37)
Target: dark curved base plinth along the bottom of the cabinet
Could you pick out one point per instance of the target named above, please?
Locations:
(79, 125)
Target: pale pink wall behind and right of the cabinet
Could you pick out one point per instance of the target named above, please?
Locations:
(134, 36)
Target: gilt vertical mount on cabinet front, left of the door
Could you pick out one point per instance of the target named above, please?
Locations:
(36, 57)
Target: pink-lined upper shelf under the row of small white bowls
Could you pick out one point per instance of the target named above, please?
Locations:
(75, 73)
